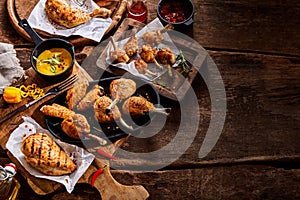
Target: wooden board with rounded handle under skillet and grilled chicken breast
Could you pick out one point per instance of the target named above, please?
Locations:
(107, 186)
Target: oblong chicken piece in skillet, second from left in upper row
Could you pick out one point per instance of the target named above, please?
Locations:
(90, 98)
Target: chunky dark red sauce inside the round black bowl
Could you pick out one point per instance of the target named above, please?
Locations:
(174, 12)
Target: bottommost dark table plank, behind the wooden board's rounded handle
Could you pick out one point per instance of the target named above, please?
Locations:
(231, 182)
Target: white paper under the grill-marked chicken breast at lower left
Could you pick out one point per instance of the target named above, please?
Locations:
(82, 158)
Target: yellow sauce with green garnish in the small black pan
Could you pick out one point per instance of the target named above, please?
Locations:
(53, 61)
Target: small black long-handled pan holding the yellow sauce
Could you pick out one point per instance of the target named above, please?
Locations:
(42, 45)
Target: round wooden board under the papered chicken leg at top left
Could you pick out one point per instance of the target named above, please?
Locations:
(18, 10)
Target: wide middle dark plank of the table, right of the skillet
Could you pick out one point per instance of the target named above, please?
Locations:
(263, 113)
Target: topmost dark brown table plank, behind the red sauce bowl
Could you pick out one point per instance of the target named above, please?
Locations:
(266, 26)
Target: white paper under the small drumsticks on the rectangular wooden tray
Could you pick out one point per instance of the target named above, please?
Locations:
(167, 42)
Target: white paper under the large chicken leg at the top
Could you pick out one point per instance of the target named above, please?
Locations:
(93, 29)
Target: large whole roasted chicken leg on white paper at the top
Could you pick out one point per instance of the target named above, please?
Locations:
(61, 12)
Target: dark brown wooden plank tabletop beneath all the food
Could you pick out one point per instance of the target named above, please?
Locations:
(256, 47)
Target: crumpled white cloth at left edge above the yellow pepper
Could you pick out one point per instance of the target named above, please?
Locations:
(10, 69)
